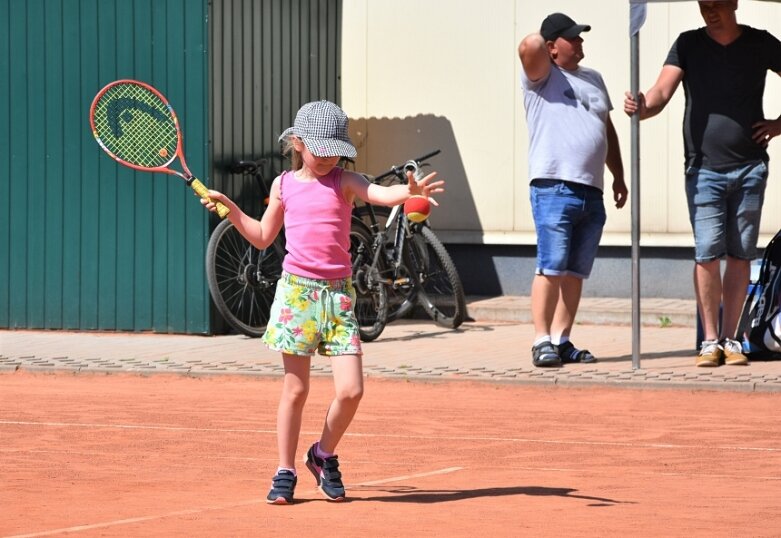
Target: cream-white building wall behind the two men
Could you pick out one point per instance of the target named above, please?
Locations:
(424, 74)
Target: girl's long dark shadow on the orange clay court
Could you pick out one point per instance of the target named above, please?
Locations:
(413, 495)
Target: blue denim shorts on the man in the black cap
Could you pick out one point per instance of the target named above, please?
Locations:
(569, 218)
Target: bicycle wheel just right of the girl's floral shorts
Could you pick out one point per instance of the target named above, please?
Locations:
(371, 303)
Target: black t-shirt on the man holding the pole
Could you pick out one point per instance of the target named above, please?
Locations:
(724, 86)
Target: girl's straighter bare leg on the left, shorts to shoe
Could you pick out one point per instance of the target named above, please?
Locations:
(295, 389)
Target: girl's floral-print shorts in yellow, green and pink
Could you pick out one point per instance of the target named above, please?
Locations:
(310, 315)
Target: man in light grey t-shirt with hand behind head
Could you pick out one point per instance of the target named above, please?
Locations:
(571, 139)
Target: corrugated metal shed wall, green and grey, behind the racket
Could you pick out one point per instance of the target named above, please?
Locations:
(88, 244)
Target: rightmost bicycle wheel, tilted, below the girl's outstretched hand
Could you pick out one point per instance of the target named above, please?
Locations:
(439, 288)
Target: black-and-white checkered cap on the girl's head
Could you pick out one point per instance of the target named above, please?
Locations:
(323, 128)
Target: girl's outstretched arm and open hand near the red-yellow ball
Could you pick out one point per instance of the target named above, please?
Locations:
(355, 185)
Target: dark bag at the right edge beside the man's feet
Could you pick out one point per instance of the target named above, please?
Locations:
(760, 322)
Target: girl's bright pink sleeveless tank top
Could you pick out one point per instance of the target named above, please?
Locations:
(317, 226)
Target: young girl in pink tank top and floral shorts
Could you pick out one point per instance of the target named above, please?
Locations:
(313, 305)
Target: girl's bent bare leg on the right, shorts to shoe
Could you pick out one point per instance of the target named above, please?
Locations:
(348, 382)
